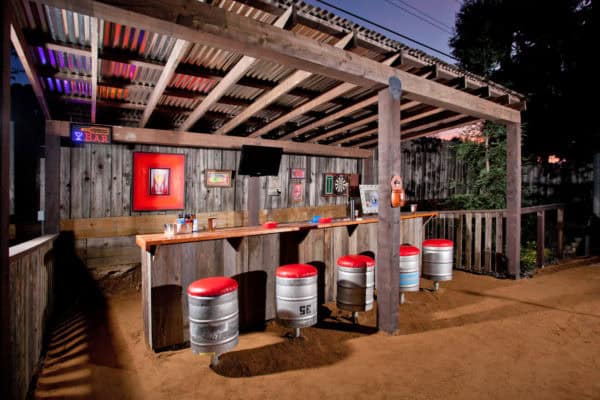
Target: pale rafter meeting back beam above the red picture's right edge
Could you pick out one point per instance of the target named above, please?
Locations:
(232, 77)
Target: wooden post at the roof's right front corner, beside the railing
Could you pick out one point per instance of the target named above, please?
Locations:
(513, 198)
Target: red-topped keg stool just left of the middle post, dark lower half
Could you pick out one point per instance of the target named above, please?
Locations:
(355, 284)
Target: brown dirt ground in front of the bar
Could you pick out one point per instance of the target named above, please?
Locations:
(477, 338)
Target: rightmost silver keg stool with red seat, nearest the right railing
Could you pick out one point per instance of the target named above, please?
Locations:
(437, 260)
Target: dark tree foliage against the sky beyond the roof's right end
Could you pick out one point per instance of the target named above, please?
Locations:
(543, 50)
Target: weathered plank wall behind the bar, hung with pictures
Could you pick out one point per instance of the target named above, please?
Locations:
(95, 183)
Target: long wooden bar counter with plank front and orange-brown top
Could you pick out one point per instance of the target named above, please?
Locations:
(250, 255)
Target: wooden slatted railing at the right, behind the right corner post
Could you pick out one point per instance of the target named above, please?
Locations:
(479, 236)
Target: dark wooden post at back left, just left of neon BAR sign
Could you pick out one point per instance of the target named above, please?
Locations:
(52, 184)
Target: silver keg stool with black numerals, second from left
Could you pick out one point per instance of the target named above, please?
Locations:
(296, 295)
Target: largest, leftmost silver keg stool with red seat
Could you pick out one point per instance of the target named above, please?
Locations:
(213, 315)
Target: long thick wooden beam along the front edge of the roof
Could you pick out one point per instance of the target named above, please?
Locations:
(219, 28)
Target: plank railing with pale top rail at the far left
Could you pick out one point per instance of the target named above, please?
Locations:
(31, 294)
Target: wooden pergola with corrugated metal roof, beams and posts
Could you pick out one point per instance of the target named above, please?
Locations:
(227, 73)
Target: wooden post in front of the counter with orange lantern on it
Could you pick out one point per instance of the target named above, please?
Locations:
(388, 229)
